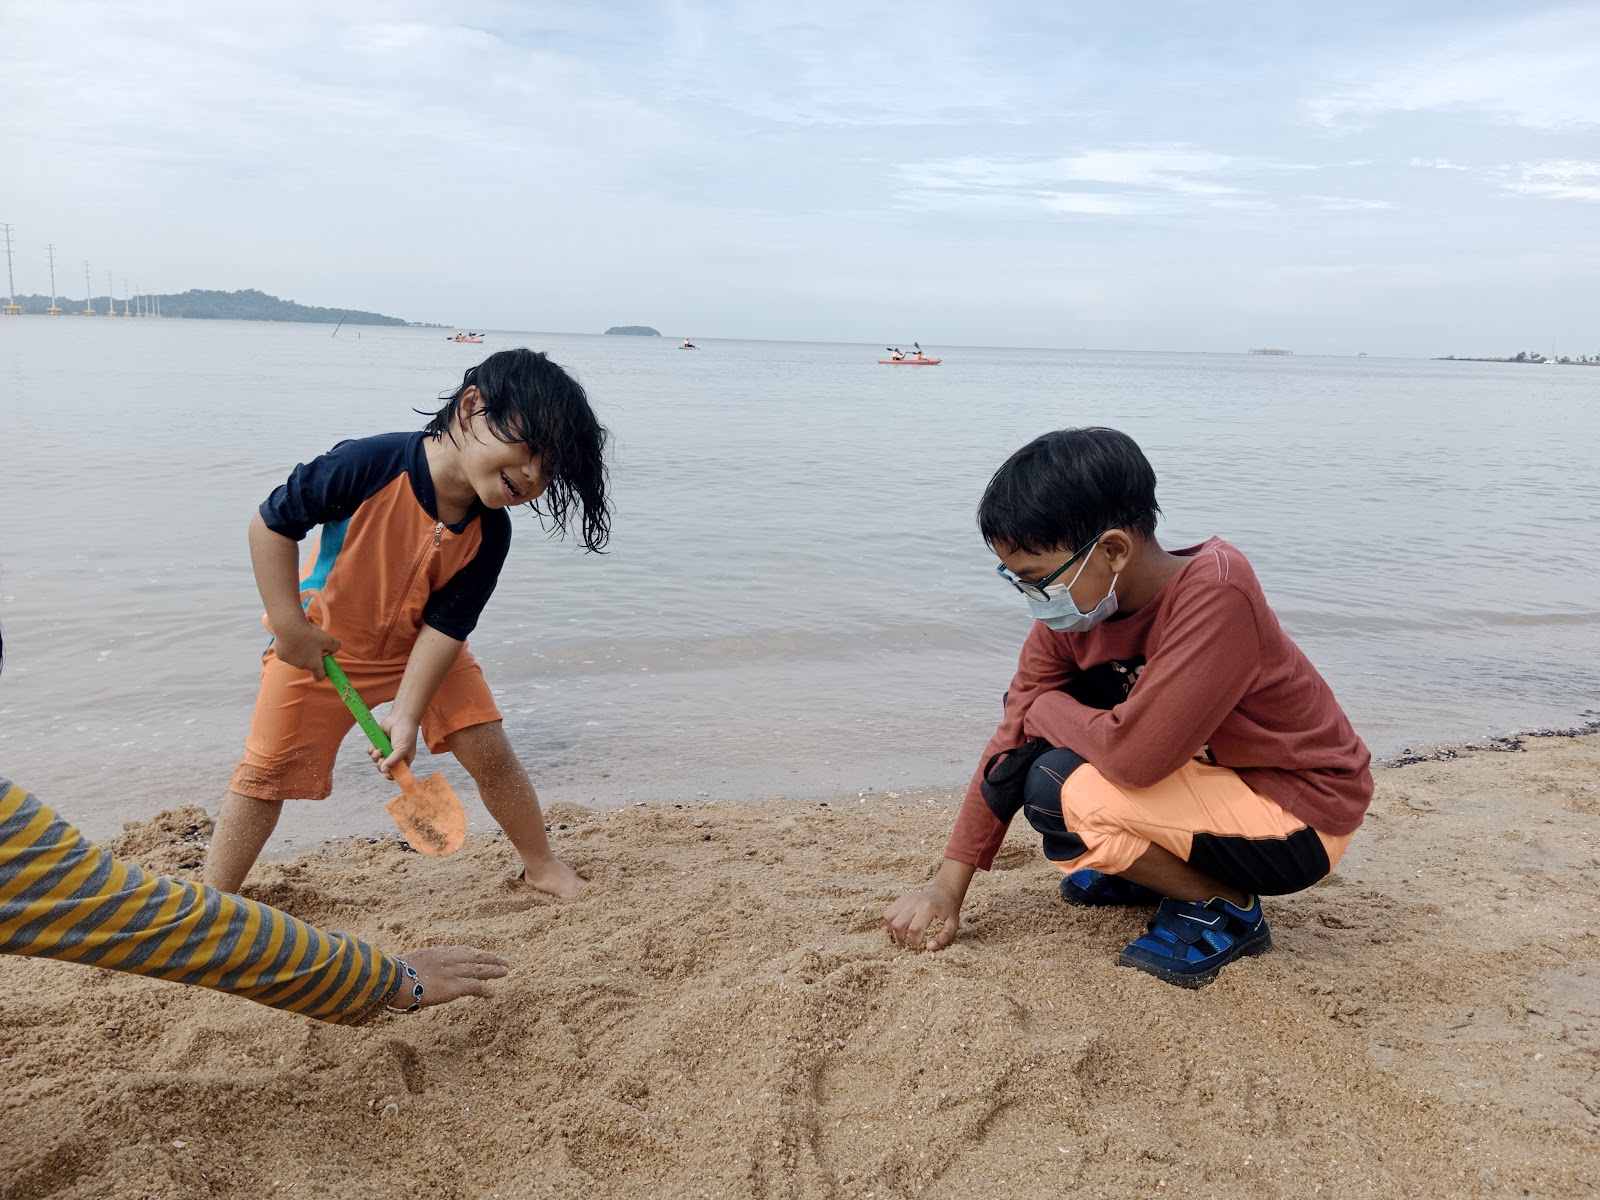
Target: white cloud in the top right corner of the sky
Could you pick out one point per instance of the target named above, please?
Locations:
(1540, 73)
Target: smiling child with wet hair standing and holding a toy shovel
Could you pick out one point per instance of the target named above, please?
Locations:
(414, 534)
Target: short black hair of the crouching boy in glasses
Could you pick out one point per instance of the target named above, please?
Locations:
(1065, 489)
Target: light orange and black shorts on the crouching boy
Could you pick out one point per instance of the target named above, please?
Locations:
(1202, 814)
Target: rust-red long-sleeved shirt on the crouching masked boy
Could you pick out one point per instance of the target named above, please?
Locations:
(1220, 678)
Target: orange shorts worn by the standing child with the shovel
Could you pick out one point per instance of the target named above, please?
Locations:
(300, 722)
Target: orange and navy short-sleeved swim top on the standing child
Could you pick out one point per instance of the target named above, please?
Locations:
(385, 566)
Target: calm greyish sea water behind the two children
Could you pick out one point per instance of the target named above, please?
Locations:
(798, 602)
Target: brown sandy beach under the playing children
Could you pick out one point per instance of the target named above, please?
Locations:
(724, 1017)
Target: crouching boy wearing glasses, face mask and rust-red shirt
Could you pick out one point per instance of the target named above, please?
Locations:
(1164, 735)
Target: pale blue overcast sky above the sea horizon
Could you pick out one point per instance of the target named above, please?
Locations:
(1396, 178)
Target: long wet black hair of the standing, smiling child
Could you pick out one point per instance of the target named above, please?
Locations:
(526, 398)
